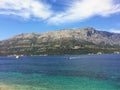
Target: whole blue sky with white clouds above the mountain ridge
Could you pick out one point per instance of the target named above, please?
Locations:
(27, 16)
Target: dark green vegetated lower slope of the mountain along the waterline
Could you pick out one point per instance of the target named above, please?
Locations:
(60, 48)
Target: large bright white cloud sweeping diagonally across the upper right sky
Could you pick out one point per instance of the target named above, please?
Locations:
(83, 9)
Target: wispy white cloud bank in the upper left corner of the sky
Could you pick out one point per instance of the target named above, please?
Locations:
(25, 8)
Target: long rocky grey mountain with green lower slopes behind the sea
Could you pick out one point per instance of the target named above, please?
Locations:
(72, 41)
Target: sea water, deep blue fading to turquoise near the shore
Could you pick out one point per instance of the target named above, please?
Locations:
(78, 72)
